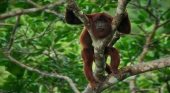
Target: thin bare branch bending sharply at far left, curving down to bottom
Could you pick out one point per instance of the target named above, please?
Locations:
(54, 75)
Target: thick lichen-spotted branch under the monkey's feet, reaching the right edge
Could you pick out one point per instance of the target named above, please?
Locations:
(130, 71)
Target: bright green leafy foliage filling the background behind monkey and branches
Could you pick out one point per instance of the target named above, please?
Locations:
(44, 41)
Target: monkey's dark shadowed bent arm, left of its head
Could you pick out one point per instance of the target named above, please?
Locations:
(71, 18)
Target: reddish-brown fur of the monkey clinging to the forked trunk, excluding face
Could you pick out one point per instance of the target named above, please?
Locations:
(86, 42)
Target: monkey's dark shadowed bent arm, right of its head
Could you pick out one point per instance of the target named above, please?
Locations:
(125, 26)
